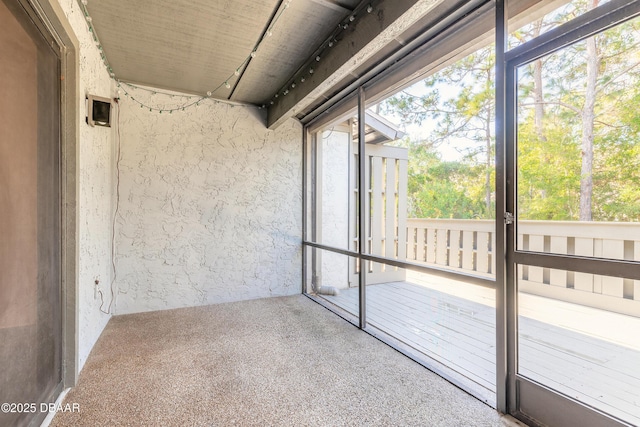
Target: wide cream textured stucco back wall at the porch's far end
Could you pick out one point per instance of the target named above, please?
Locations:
(209, 207)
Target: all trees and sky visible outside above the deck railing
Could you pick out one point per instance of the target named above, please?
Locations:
(562, 119)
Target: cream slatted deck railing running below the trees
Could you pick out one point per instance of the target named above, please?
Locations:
(468, 245)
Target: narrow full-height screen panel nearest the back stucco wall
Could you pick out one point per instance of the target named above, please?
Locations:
(331, 274)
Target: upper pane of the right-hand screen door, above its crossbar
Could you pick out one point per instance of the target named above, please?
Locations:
(578, 150)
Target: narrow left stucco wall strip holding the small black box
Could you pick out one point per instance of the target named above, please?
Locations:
(95, 172)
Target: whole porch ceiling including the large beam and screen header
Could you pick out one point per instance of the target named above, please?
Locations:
(258, 51)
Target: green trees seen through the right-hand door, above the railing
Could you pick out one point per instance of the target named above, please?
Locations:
(583, 164)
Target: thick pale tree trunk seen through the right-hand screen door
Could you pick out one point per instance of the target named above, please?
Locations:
(588, 117)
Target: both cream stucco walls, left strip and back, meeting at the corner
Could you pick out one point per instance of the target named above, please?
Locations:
(210, 204)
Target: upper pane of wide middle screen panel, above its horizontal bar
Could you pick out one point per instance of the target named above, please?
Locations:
(430, 155)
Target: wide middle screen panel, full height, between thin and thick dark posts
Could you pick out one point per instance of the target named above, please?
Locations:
(430, 203)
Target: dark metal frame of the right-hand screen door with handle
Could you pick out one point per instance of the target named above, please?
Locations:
(527, 400)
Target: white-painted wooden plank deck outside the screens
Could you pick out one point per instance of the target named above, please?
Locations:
(588, 354)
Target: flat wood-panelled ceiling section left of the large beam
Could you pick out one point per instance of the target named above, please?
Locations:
(195, 46)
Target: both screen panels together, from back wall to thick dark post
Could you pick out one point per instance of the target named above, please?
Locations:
(400, 220)
